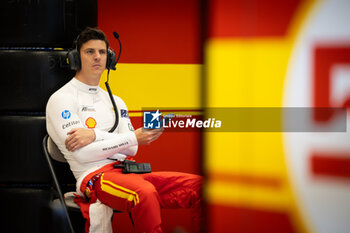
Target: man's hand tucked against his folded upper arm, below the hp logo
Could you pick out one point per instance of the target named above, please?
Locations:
(78, 138)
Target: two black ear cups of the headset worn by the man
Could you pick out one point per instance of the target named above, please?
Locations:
(74, 62)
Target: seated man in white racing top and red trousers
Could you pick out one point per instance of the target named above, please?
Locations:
(79, 116)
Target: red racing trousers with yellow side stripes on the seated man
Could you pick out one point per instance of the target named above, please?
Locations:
(144, 194)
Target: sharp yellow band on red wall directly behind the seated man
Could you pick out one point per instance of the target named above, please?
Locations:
(156, 85)
